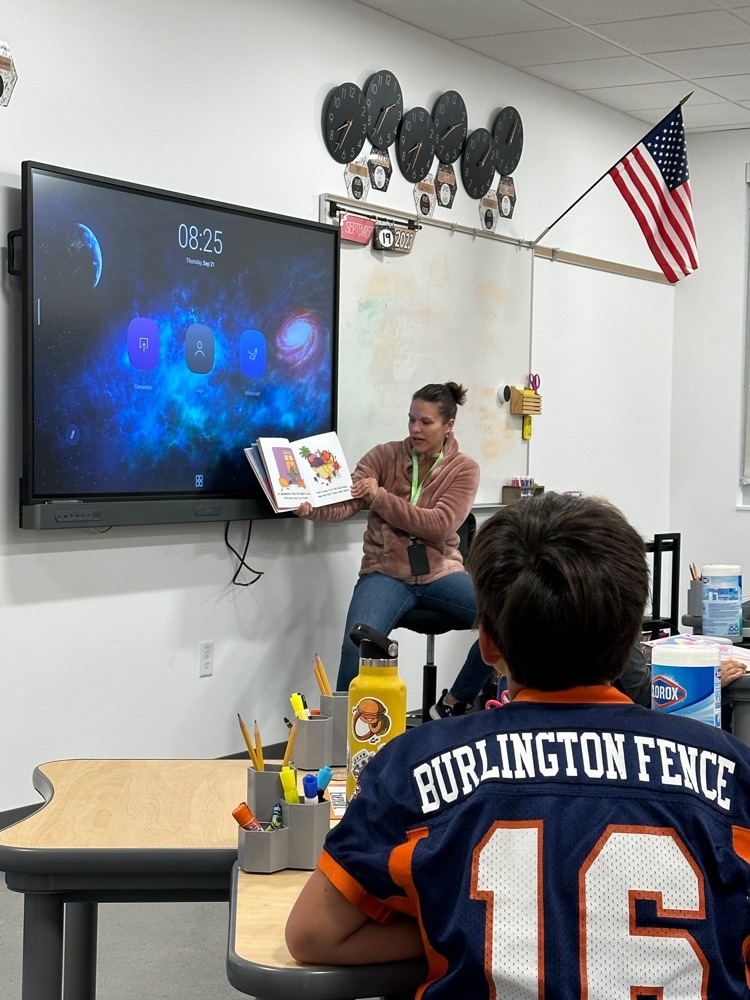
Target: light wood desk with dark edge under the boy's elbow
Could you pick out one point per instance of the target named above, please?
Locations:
(259, 963)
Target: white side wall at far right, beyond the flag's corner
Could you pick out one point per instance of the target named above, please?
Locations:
(709, 359)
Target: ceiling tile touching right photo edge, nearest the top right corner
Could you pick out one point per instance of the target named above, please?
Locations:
(679, 31)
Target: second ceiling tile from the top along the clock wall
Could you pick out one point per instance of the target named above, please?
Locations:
(535, 48)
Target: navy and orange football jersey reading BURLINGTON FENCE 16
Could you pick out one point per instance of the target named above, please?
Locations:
(567, 846)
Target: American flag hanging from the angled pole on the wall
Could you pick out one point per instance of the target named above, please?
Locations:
(653, 180)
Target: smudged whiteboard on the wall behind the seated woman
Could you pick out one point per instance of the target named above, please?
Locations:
(457, 308)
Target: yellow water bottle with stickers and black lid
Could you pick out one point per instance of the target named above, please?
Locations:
(377, 702)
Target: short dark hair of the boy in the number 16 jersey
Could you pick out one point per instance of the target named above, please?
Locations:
(562, 584)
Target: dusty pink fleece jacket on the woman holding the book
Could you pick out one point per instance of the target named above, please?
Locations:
(445, 501)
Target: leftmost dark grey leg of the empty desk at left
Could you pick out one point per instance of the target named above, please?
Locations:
(42, 946)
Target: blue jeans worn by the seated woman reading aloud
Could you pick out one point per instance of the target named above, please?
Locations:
(379, 601)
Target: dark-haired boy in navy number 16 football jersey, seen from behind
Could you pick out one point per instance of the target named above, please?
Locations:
(570, 844)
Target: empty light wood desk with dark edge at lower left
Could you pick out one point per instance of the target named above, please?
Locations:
(115, 831)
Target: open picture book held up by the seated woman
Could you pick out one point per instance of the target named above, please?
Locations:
(312, 469)
